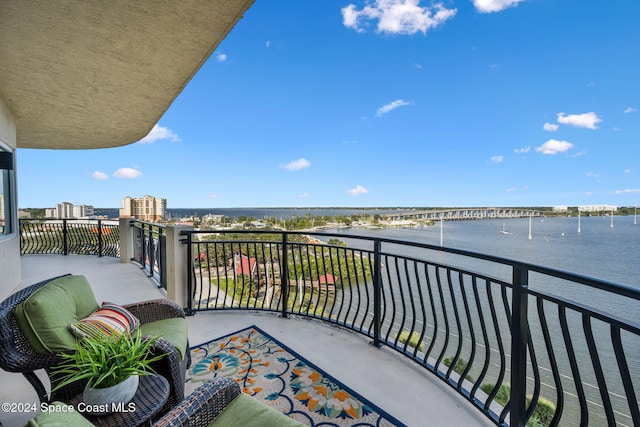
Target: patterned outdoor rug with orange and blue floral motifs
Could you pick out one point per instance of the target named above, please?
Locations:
(278, 376)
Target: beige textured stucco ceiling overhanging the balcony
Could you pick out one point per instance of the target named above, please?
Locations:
(89, 74)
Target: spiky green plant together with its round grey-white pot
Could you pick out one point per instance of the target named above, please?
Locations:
(111, 364)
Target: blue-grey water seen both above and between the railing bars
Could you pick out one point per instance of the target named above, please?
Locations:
(597, 251)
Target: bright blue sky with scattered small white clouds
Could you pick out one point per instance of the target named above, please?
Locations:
(387, 103)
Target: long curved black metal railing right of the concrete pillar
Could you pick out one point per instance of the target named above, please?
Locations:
(524, 343)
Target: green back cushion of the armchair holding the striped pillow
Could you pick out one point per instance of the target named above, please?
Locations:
(45, 316)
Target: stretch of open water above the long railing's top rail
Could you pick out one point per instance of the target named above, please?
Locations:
(598, 251)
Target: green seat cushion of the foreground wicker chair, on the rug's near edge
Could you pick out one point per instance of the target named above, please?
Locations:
(247, 411)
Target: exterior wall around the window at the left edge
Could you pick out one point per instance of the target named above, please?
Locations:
(9, 245)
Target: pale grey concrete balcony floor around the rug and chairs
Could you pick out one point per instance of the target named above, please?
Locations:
(395, 384)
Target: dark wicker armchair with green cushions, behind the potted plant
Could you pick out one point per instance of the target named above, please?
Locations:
(35, 329)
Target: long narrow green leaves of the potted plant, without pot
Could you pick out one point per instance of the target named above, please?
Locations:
(106, 361)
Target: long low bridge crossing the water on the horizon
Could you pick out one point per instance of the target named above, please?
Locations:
(464, 213)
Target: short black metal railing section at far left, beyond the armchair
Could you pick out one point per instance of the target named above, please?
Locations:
(70, 236)
